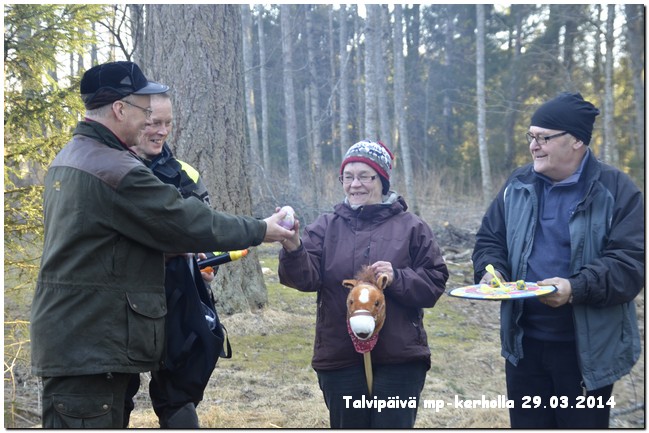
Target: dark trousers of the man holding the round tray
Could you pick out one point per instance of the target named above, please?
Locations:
(548, 391)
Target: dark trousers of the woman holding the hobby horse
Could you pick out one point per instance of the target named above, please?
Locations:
(345, 391)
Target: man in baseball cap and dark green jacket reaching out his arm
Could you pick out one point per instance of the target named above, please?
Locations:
(99, 308)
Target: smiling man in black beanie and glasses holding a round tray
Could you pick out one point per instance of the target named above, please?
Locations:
(570, 221)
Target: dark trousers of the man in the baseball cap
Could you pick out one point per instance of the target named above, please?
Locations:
(92, 401)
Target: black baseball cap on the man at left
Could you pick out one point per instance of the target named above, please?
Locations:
(106, 83)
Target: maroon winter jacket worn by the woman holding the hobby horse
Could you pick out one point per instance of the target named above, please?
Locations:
(335, 246)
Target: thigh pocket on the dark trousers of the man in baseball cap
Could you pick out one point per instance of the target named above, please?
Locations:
(79, 411)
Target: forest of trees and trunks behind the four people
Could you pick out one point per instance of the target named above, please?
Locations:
(268, 98)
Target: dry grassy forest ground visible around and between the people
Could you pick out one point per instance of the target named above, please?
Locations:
(269, 382)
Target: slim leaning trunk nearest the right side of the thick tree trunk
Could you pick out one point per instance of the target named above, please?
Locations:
(253, 138)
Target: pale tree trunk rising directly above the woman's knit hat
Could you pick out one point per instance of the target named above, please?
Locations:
(371, 80)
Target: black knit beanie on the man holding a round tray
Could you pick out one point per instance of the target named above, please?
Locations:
(567, 112)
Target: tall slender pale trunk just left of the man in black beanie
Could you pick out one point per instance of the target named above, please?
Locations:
(482, 124)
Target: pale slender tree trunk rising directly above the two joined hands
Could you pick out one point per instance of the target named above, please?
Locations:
(289, 101)
